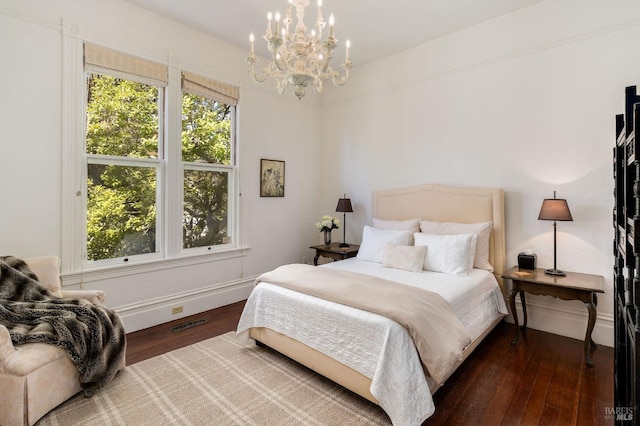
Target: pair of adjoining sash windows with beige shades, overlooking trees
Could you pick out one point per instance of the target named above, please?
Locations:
(127, 174)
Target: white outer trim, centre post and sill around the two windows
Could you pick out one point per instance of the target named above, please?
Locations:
(72, 213)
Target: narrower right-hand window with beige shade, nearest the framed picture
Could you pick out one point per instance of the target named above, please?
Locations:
(207, 157)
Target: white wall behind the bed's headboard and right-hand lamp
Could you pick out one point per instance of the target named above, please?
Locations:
(525, 102)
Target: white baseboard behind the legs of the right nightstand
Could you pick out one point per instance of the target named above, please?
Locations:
(565, 321)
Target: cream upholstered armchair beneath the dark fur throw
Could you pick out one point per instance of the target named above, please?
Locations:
(37, 377)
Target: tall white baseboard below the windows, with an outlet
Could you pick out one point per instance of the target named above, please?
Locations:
(158, 311)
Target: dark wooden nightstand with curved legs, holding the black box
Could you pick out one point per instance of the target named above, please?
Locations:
(573, 286)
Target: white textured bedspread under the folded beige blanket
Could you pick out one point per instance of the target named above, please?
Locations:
(373, 345)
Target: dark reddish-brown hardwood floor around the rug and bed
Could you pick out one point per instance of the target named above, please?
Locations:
(544, 380)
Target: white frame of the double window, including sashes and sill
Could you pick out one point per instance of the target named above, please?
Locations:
(171, 253)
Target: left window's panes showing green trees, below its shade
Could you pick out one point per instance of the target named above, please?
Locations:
(123, 168)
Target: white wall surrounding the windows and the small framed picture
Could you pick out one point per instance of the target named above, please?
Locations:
(275, 230)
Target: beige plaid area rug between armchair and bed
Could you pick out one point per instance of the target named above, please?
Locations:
(218, 382)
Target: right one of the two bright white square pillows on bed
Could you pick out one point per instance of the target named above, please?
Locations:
(449, 254)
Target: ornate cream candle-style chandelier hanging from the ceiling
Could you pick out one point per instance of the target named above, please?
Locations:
(299, 58)
